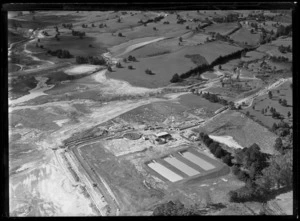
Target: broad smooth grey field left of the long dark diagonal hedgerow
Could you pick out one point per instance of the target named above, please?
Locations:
(166, 65)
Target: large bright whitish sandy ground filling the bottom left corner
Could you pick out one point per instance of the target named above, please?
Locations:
(45, 191)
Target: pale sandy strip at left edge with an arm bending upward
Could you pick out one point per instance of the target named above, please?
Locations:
(35, 92)
